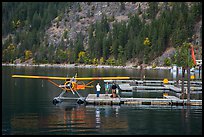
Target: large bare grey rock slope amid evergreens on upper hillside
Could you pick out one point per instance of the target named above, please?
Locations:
(82, 14)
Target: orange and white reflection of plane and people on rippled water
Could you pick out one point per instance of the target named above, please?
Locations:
(105, 118)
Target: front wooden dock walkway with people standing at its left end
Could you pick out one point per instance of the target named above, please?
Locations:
(168, 100)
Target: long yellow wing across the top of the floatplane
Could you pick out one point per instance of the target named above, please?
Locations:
(64, 78)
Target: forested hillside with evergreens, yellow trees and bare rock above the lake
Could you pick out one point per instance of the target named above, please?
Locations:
(112, 33)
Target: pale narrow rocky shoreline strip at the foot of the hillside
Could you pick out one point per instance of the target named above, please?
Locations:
(80, 66)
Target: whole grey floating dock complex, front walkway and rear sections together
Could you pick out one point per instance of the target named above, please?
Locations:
(149, 86)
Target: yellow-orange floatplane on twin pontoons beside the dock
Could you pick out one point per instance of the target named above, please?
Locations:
(71, 84)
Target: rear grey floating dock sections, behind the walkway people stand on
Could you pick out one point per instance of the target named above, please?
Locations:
(157, 86)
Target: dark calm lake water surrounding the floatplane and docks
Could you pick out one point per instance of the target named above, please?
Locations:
(27, 108)
